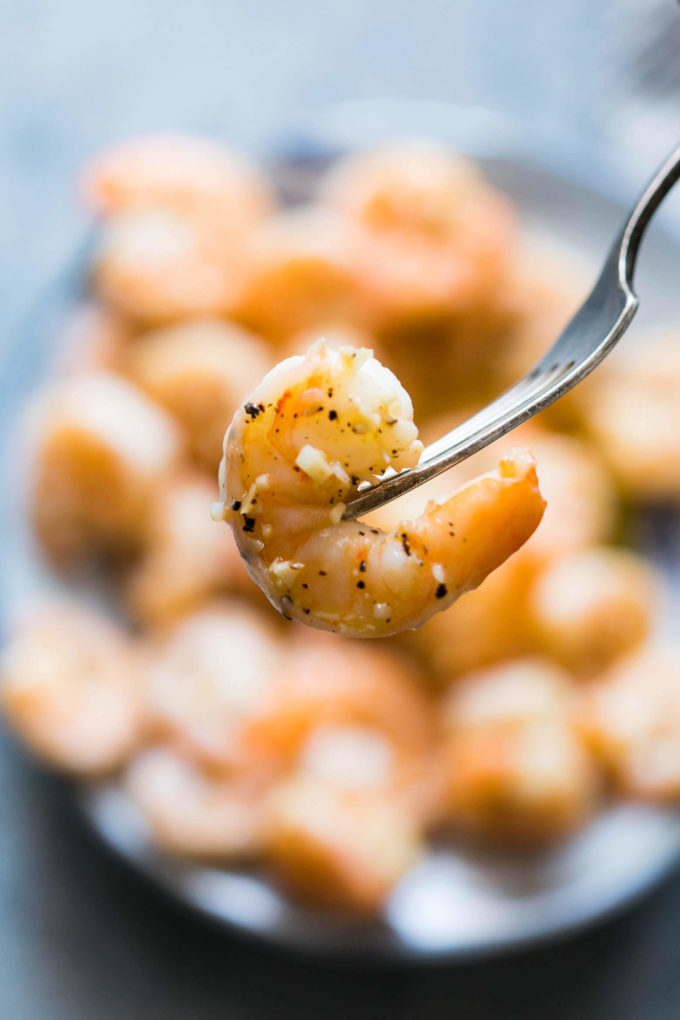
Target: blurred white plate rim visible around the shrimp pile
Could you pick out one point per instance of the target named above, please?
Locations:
(454, 905)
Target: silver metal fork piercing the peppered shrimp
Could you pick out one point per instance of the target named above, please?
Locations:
(593, 333)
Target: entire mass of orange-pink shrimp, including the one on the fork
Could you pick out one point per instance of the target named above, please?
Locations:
(334, 340)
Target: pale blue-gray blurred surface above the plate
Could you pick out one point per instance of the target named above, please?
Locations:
(75, 74)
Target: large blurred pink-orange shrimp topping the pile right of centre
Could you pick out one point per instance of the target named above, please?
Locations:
(433, 236)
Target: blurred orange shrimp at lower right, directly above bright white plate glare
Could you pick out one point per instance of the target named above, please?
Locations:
(514, 766)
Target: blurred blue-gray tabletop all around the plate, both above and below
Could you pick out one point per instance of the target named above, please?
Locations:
(79, 939)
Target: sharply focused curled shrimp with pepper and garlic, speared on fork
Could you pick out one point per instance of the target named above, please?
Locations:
(296, 453)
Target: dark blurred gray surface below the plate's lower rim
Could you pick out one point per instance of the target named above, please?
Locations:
(80, 940)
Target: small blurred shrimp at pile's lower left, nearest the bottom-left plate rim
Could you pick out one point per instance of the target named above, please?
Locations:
(195, 814)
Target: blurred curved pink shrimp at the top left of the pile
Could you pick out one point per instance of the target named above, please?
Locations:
(185, 173)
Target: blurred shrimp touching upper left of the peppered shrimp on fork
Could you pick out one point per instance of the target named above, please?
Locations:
(200, 371)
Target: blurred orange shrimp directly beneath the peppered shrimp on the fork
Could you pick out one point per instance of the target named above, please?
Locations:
(352, 716)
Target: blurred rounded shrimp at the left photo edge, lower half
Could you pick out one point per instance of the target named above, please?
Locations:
(70, 686)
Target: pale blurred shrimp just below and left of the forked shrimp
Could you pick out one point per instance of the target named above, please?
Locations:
(207, 677)
